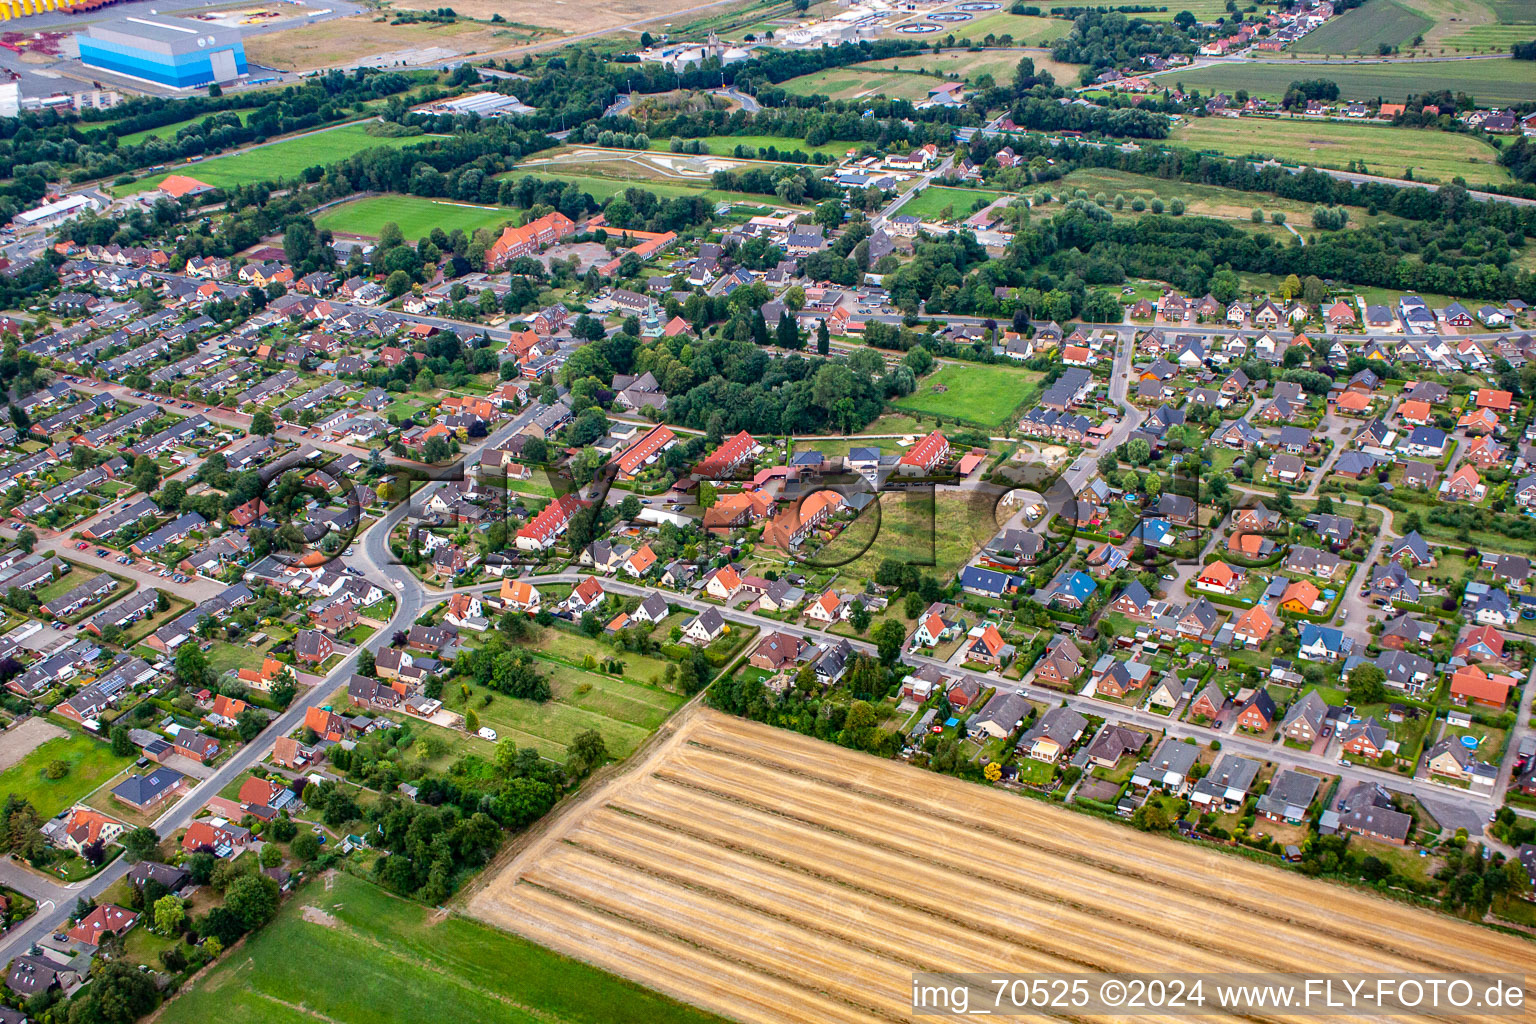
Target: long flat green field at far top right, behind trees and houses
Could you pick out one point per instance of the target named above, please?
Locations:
(1488, 81)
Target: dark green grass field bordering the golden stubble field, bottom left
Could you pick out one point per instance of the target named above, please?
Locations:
(400, 954)
